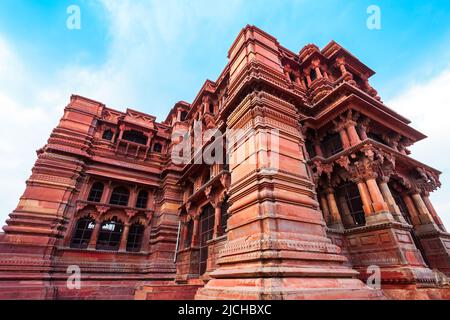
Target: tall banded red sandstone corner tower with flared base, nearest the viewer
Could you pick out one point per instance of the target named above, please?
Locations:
(276, 246)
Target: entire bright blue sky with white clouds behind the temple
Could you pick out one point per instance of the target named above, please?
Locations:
(149, 54)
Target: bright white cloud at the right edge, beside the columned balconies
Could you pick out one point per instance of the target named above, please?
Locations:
(427, 105)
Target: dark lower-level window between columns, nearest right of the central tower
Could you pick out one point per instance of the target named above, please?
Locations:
(350, 192)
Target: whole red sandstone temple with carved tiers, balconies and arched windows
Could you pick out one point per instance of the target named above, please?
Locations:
(346, 199)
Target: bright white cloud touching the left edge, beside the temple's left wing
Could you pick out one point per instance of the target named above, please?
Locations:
(28, 113)
